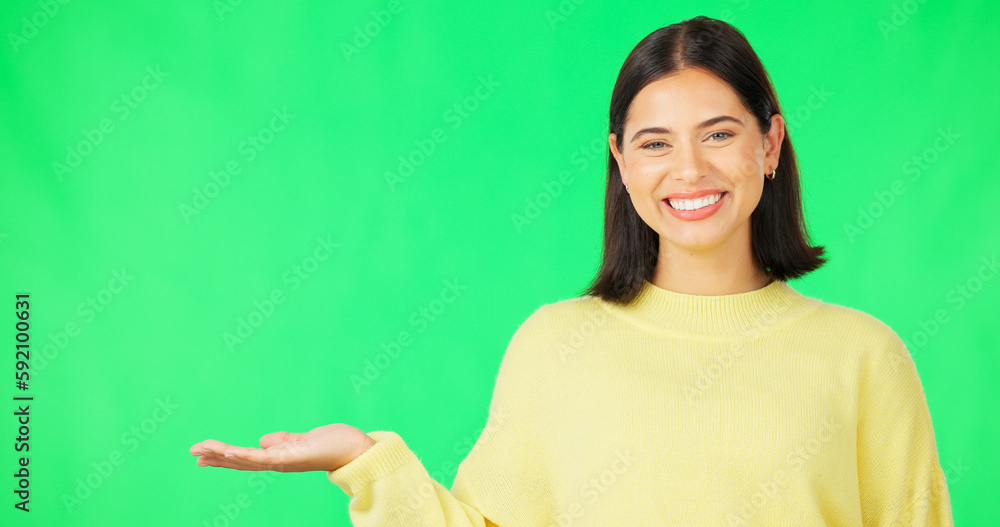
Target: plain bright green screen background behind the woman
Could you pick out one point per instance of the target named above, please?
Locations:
(502, 110)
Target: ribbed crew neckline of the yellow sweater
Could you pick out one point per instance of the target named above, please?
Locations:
(748, 313)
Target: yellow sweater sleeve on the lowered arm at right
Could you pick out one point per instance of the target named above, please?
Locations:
(900, 477)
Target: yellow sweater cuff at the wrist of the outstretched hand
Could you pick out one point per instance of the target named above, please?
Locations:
(381, 459)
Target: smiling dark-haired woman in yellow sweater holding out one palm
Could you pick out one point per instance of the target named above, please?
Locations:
(690, 385)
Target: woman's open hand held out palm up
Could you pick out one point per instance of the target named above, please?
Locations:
(325, 448)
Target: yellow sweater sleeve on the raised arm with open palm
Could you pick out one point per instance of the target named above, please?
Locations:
(501, 482)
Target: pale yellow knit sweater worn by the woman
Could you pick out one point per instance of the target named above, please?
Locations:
(766, 408)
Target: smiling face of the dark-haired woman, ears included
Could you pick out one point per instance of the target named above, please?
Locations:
(688, 135)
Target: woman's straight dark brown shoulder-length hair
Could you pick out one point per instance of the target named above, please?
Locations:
(778, 230)
